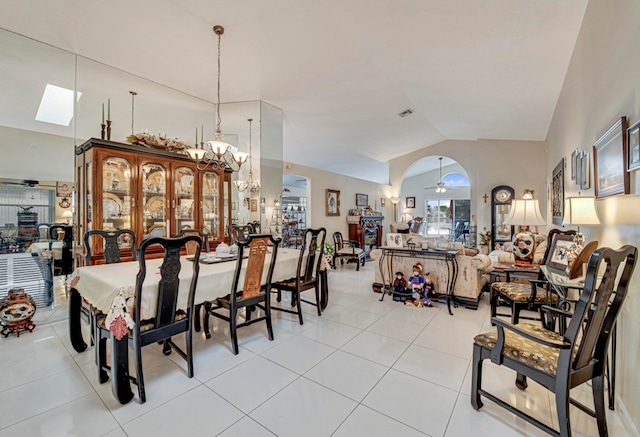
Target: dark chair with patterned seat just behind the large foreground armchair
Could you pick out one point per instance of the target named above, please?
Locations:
(529, 295)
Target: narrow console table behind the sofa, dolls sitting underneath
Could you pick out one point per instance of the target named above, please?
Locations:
(447, 256)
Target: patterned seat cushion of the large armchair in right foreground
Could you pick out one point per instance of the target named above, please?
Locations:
(543, 358)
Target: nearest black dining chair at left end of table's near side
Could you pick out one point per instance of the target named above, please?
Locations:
(169, 320)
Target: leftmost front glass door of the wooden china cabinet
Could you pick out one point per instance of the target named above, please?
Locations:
(116, 194)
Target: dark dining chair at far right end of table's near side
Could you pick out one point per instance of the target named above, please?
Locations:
(307, 274)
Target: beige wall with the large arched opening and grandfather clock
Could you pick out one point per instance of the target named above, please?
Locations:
(487, 163)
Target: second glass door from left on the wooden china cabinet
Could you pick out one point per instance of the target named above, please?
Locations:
(154, 200)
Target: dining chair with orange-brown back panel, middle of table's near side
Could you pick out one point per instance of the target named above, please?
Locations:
(254, 292)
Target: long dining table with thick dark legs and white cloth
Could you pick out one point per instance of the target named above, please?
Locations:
(100, 285)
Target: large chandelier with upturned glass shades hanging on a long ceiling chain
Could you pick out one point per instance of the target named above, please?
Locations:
(218, 154)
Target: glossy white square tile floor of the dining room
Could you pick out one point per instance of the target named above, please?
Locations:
(365, 368)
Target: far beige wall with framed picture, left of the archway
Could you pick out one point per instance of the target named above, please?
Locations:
(318, 181)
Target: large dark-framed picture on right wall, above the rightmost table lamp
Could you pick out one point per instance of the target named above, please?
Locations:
(610, 177)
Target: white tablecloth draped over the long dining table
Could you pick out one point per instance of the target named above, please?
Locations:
(99, 284)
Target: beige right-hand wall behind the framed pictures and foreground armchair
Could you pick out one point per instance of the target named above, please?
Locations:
(603, 84)
